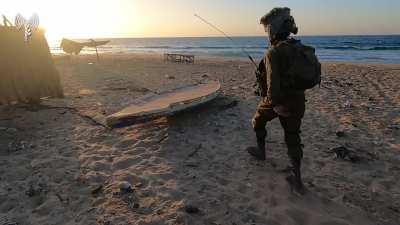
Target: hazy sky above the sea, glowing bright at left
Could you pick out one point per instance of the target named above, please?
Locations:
(175, 18)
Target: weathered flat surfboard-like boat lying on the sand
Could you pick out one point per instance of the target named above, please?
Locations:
(165, 103)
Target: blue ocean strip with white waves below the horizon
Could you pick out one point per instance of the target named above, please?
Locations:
(365, 49)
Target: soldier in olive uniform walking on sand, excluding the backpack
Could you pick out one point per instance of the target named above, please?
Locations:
(279, 99)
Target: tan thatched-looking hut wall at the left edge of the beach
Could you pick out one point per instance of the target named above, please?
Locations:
(27, 70)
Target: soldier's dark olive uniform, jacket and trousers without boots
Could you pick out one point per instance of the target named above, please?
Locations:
(277, 61)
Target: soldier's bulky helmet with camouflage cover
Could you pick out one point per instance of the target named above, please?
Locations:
(279, 20)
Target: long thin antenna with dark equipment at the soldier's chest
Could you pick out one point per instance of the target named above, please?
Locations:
(258, 88)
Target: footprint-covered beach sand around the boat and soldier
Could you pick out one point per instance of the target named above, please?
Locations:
(59, 165)
